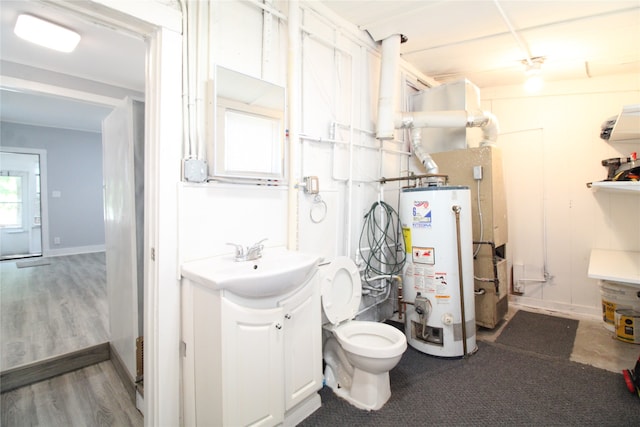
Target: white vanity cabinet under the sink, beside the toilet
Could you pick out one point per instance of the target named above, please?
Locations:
(250, 361)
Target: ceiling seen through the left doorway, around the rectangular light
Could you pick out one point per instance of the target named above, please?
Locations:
(107, 63)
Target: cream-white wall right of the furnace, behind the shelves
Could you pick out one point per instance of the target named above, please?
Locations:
(551, 149)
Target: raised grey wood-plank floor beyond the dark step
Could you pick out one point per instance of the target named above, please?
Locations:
(53, 309)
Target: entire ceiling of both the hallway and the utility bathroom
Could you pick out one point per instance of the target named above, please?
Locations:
(482, 40)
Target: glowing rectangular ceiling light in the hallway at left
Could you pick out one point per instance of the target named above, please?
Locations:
(45, 33)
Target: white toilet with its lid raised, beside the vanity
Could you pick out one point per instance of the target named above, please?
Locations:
(358, 354)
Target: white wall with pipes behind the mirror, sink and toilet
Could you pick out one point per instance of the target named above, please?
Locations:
(340, 72)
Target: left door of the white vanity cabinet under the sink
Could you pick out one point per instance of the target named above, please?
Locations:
(252, 345)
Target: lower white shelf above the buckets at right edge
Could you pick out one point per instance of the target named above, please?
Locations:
(615, 266)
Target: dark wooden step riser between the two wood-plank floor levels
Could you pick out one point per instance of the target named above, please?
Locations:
(41, 370)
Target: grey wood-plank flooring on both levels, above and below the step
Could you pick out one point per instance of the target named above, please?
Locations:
(55, 309)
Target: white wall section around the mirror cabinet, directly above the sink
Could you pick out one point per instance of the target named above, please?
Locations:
(214, 214)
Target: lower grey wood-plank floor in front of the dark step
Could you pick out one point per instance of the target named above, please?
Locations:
(92, 396)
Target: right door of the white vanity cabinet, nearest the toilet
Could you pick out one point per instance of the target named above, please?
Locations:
(302, 344)
